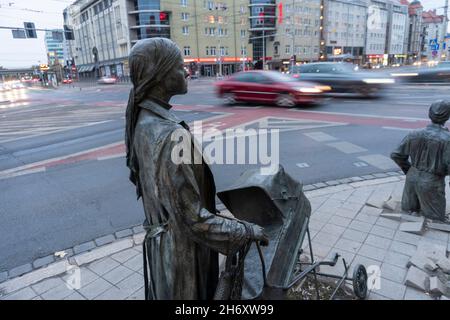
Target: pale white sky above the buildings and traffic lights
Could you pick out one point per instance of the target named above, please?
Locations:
(47, 14)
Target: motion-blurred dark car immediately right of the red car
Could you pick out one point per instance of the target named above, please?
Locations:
(343, 78)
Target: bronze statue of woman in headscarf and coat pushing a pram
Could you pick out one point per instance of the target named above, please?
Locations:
(183, 231)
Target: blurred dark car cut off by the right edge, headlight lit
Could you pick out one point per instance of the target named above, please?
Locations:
(424, 74)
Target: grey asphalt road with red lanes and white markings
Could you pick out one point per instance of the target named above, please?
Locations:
(63, 178)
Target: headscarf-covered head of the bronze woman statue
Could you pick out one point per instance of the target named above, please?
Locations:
(157, 63)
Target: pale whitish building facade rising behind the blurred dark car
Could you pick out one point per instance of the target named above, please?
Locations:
(345, 29)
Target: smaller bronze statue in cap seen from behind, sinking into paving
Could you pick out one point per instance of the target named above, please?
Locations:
(424, 156)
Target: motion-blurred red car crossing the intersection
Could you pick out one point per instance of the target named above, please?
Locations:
(268, 87)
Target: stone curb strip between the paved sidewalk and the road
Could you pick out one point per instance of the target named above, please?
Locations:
(87, 252)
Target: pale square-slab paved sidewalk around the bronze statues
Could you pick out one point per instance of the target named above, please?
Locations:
(341, 222)
